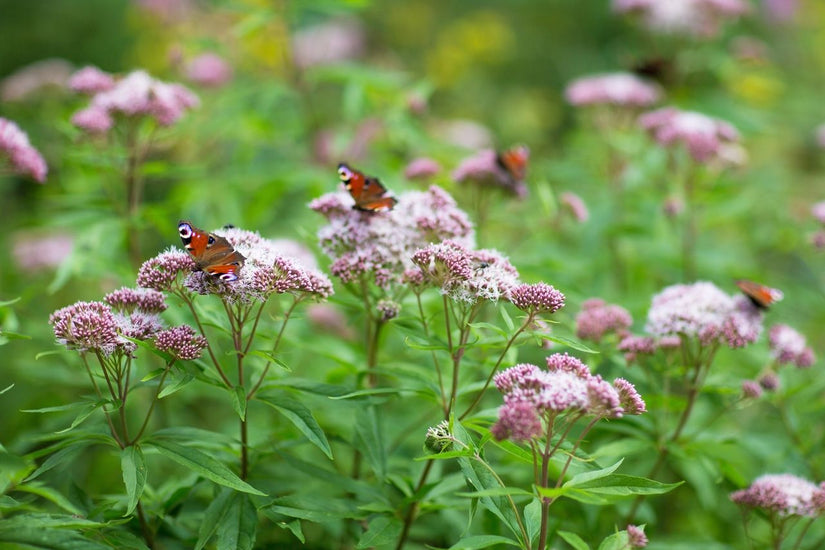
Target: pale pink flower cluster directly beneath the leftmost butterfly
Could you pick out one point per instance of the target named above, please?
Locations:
(266, 271)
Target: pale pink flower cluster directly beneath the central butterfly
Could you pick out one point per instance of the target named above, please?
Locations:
(380, 246)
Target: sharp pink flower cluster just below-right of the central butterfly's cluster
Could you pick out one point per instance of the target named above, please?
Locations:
(471, 276)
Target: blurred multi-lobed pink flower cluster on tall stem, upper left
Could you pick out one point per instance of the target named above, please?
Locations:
(136, 94)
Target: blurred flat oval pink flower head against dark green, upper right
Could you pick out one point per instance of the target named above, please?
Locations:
(620, 89)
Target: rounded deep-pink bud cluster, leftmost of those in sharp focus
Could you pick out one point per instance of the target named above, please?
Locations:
(86, 326)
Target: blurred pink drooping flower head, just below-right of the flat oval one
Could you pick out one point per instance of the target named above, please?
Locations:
(703, 136)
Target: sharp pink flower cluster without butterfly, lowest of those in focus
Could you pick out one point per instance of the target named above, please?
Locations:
(532, 394)
